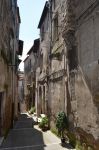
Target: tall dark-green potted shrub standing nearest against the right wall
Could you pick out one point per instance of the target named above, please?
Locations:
(61, 124)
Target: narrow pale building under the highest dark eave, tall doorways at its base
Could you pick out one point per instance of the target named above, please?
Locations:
(43, 61)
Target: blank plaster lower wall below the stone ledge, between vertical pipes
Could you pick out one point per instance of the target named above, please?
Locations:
(57, 103)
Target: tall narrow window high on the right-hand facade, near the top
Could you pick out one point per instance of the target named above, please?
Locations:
(55, 29)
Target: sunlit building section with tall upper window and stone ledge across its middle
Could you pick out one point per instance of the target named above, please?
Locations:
(57, 71)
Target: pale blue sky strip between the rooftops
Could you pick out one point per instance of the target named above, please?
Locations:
(30, 13)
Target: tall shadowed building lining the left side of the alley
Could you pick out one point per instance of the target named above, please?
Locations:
(9, 51)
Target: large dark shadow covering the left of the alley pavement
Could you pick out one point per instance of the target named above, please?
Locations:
(24, 136)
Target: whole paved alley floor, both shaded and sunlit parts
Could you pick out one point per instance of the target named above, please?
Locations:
(27, 136)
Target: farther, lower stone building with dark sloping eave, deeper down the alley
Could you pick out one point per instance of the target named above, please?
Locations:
(30, 64)
